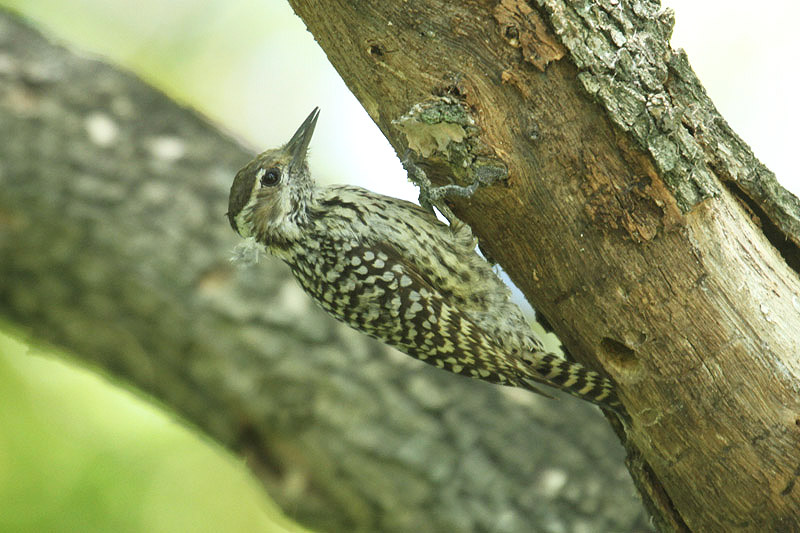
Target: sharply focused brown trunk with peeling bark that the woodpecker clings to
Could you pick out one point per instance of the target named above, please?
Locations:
(628, 212)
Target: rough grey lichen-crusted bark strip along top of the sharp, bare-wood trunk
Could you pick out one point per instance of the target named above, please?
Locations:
(625, 61)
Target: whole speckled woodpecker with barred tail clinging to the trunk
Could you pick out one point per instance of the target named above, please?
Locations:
(391, 269)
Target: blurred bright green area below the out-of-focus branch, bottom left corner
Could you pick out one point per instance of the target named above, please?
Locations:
(80, 454)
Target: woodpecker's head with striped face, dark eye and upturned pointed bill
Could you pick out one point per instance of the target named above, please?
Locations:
(269, 196)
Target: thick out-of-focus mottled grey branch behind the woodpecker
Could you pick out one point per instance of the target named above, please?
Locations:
(113, 244)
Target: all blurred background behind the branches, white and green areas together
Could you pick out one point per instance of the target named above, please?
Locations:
(78, 453)
